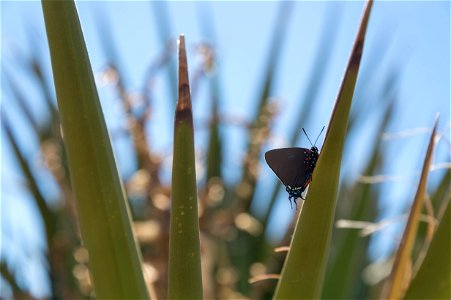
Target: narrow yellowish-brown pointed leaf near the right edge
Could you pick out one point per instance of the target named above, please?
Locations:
(395, 285)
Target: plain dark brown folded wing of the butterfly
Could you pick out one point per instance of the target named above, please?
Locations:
(289, 165)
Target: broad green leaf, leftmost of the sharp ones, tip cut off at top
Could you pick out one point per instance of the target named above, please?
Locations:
(103, 212)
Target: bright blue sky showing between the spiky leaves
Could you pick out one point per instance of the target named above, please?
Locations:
(409, 36)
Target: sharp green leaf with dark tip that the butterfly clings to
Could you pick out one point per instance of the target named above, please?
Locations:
(304, 268)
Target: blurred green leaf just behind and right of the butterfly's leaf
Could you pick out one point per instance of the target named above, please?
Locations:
(344, 270)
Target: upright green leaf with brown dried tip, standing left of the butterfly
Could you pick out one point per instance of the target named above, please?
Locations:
(185, 278)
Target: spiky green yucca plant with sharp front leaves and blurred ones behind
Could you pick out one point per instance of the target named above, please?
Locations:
(200, 238)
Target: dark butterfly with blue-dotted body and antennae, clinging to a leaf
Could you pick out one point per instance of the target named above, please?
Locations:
(294, 167)
